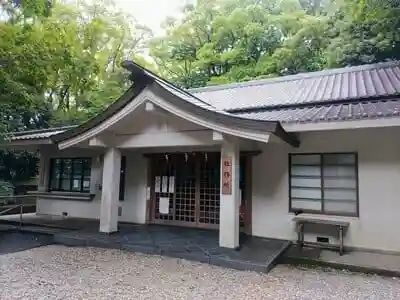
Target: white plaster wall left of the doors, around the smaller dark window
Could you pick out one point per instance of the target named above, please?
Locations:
(134, 206)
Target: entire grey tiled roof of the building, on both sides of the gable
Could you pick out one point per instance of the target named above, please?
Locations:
(362, 92)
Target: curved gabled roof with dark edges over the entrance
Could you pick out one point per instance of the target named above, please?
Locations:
(184, 101)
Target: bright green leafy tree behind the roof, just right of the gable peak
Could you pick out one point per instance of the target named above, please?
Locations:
(229, 40)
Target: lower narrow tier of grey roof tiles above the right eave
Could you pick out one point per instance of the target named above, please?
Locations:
(332, 112)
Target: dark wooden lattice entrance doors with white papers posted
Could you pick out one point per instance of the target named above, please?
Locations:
(185, 189)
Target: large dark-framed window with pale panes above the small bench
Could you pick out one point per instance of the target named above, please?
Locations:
(324, 183)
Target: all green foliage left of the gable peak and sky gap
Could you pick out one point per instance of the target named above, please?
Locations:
(60, 63)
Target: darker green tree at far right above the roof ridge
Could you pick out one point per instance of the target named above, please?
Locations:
(365, 31)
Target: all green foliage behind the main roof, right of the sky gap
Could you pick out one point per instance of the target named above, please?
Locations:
(226, 41)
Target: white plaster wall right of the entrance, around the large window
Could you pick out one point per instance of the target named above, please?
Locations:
(379, 181)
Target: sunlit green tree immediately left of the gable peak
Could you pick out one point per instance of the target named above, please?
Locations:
(90, 77)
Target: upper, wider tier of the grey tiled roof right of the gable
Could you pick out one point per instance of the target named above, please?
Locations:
(352, 83)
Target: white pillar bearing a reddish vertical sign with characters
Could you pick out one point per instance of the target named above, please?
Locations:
(230, 197)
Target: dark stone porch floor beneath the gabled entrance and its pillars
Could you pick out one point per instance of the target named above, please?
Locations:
(255, 254)
